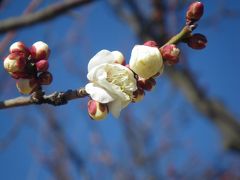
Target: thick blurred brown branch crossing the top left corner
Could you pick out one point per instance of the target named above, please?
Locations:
(46, 14)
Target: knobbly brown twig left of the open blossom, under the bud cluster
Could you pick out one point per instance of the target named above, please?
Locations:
(56, 98)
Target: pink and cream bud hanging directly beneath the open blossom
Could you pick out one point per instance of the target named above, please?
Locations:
(96, 110)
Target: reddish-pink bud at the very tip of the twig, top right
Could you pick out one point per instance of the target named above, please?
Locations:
(195, 11)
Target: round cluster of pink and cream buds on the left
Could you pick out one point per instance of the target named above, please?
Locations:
(29, 66)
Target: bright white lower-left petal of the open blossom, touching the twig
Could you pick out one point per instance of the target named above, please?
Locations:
(98, 94)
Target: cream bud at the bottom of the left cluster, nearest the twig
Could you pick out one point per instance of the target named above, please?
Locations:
(27, 86)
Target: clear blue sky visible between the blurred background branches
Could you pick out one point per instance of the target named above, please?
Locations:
(74, 42)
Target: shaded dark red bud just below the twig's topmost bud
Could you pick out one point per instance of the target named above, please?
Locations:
(197, 41)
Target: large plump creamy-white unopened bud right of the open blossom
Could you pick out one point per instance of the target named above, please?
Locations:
(146, 61)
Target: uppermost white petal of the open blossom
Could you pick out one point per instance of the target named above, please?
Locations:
(103, 56)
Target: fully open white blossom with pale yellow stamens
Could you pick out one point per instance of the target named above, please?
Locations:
(111, 83)
